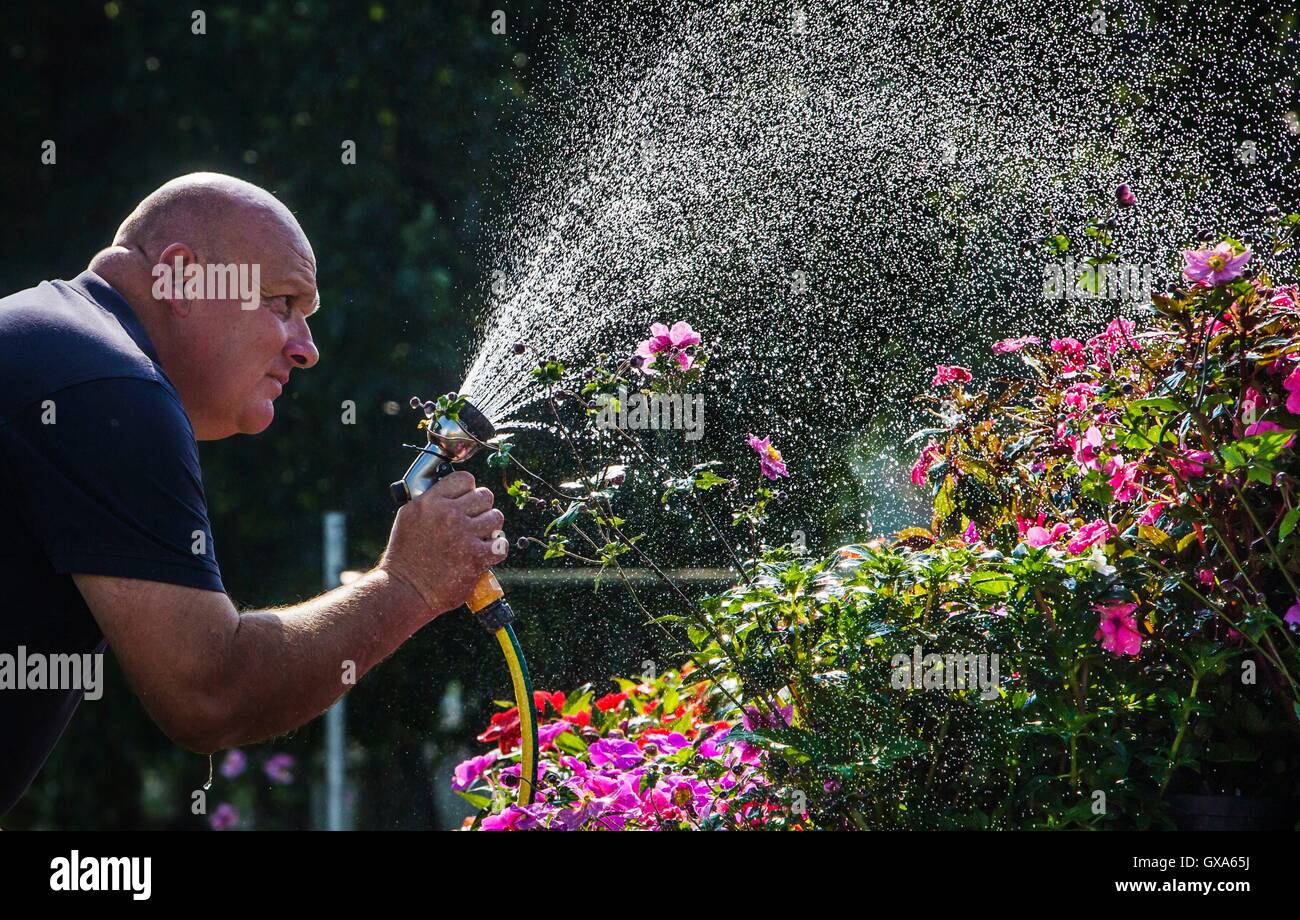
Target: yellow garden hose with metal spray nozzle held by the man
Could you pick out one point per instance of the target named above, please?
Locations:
(456, 436)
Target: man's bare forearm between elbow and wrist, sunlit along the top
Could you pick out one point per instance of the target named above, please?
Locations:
(287, 666)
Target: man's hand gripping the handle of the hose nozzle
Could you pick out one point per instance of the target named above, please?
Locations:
(444, 541)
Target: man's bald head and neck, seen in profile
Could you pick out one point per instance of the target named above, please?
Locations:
(228, 357)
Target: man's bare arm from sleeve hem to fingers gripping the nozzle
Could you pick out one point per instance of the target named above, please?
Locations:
(215, 679)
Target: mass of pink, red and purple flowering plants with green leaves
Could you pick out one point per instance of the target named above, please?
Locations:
(1100, 613)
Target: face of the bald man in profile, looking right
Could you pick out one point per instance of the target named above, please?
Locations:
(240, 361)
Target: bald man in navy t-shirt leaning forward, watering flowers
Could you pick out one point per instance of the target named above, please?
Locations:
(107, 383)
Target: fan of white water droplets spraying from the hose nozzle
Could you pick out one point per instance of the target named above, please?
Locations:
(835, 196)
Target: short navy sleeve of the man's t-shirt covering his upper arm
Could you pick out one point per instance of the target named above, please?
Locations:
(109, 476)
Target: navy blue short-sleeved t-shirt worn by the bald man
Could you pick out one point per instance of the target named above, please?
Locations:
(99, 475)
